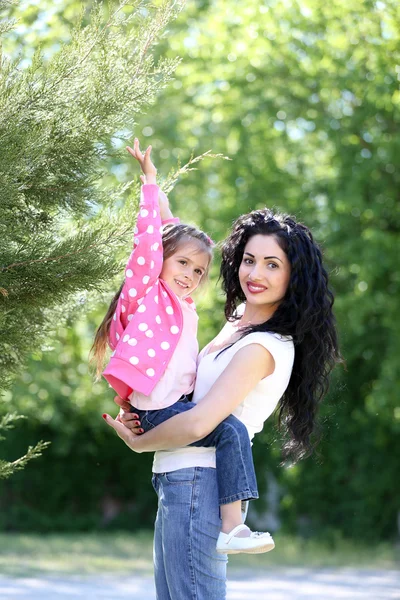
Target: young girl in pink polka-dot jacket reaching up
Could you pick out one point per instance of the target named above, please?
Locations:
(151, 326)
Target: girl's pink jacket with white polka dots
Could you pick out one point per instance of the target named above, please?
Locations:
(147, 327)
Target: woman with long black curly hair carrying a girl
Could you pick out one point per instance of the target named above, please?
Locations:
(277, 348)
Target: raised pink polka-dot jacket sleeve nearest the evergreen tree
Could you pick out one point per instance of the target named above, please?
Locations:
(144, 264)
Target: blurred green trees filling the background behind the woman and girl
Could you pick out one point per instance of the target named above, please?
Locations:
(304, 98)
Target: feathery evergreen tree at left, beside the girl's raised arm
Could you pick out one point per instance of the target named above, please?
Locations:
(62, 118)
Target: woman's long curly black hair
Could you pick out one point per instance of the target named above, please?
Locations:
(305, 314)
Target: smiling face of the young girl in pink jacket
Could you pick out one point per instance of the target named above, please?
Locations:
(184, 270)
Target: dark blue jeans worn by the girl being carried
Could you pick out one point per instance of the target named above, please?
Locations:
(234, 460)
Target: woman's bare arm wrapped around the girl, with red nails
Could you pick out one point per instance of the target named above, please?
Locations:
(249, 365)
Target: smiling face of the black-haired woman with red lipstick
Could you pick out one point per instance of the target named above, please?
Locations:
(264, 272)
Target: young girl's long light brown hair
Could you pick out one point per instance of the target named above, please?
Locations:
(173, 237)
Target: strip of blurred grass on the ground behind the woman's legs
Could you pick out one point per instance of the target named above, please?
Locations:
(112, 553)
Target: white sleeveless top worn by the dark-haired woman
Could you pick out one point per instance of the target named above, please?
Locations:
(255, 408)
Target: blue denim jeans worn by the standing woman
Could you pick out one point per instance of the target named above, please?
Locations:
(186, 563)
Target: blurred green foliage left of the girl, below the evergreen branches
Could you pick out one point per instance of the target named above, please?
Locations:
(87, 475)
